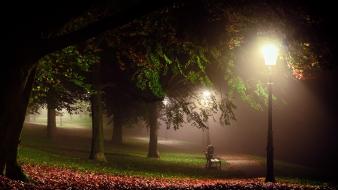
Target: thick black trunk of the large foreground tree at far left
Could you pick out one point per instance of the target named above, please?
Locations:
(15, 101)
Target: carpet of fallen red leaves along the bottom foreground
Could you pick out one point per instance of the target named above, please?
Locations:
(58, 178)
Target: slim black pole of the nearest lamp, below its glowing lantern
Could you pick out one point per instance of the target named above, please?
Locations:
(270, 177)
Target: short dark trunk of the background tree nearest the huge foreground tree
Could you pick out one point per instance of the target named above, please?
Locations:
(51, 115)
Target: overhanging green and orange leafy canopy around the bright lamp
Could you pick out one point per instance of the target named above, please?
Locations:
(154, 50)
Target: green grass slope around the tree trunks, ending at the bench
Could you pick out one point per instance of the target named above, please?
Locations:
(69, 151)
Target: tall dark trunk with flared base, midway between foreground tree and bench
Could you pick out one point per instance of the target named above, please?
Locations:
(97, 146)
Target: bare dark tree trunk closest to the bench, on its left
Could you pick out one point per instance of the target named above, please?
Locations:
(153, 126)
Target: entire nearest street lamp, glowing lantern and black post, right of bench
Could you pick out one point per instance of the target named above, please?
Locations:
(270, 53)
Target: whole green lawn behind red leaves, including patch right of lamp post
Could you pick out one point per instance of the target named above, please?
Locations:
(70, 149)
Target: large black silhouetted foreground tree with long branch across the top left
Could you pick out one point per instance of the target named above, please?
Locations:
(28, 47)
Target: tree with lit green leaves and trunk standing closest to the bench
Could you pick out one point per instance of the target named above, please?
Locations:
(148, 69)
